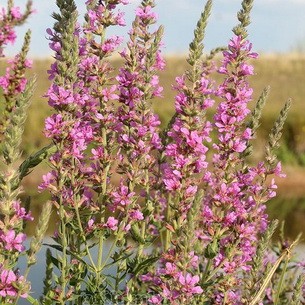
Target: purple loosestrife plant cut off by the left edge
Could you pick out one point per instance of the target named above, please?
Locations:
(16, 94)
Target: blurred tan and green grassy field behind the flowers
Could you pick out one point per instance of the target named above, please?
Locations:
(285, 74)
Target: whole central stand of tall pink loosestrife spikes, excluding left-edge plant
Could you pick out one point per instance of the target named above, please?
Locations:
(115, 174)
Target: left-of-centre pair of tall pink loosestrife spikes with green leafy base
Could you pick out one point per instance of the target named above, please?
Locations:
(84, 130)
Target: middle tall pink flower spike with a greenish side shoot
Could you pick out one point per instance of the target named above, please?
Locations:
(140, 66)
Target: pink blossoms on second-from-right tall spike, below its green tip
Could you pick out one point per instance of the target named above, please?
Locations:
(186, 152)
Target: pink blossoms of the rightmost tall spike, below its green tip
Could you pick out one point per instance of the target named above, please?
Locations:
(233, 210)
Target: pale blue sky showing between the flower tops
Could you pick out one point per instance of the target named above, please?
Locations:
(277, 25)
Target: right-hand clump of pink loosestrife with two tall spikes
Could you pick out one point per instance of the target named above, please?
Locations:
(233, 193)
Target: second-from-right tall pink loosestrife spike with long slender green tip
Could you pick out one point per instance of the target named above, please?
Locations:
(184, 164)
